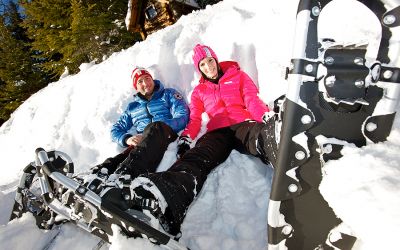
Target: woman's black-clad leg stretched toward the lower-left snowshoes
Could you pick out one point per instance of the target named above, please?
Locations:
(180, 184)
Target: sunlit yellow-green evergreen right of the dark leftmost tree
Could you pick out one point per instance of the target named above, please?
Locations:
(76, 31)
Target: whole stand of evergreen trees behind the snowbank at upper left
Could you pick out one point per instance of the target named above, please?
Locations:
(42, 41)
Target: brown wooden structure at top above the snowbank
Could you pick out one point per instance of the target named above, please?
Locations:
(148, 16)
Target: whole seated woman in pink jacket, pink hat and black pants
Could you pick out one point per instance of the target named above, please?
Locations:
(230, 99)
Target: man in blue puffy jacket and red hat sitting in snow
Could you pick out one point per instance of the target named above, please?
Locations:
(157, 114)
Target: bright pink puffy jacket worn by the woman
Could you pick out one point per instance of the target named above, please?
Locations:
(233, 100)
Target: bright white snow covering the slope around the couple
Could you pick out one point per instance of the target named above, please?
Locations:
(74, 115)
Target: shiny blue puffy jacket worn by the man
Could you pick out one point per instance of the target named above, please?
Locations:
(166, 105)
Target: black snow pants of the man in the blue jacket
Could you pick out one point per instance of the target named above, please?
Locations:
(147, 155)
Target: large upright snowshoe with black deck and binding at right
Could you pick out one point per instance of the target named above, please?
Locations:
(336, 97)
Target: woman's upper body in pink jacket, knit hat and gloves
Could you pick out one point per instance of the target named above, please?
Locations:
(225, 93)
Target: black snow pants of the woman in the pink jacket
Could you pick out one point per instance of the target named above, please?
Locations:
(183, 181)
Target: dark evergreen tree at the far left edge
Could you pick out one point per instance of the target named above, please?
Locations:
(18, 76)
